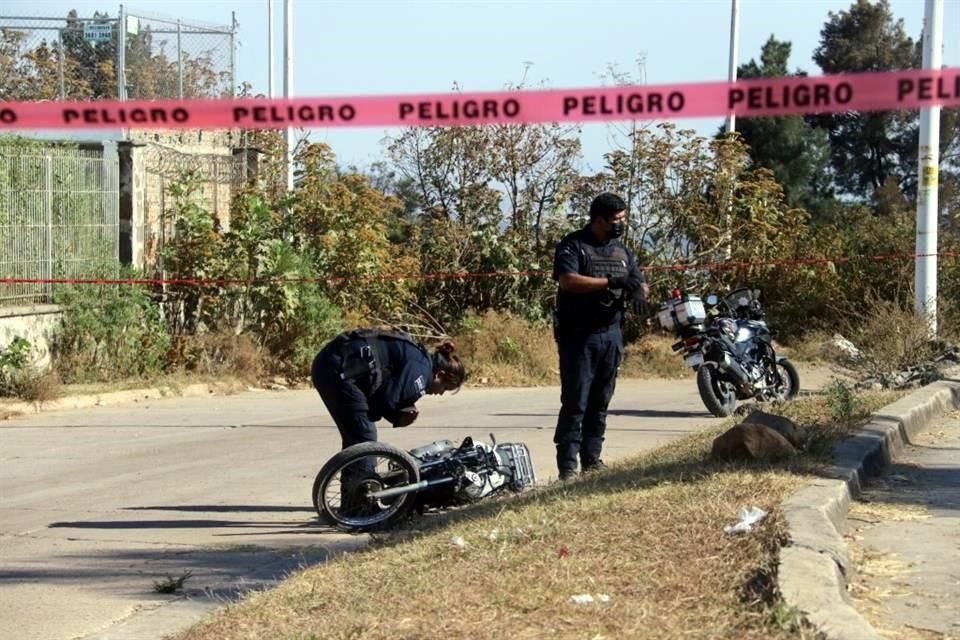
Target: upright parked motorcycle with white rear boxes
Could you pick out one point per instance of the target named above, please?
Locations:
(728, 343)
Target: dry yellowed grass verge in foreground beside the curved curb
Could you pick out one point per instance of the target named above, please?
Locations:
(646, 532)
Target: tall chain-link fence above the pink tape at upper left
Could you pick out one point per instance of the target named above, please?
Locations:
(74, 58)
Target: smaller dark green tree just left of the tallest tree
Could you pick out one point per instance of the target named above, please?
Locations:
(797, 153)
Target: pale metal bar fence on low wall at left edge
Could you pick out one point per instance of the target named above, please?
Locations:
(59, 218)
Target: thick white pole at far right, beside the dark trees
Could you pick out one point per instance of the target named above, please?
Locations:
(928, 175)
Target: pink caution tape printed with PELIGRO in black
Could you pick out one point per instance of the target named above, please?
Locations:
(756, 97)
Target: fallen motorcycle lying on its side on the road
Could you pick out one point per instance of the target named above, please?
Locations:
(373, 486)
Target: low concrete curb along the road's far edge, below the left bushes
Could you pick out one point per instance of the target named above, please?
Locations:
(129, 396)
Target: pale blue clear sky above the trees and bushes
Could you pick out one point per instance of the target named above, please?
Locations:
(408, 46)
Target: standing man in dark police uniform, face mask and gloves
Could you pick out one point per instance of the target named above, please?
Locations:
(597, 276)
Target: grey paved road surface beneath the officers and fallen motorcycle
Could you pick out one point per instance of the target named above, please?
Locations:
(98, 505)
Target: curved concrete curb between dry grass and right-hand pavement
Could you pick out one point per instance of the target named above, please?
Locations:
(814, 565)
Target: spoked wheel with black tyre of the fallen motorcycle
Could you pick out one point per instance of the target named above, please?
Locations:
(341, 491)
